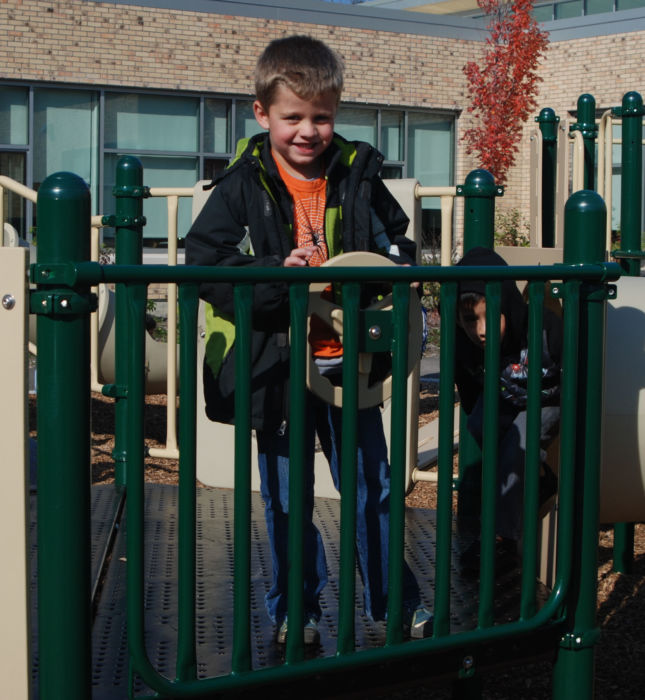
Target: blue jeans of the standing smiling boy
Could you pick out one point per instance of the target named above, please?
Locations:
(372, 510)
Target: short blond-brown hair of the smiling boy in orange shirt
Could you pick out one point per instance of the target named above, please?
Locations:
(305, 65)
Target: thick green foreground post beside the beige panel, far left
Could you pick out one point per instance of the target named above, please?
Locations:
(64, 616)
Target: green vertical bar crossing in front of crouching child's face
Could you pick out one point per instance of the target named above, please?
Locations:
(490, 454)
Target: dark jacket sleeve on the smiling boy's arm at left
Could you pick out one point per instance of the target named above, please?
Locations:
(220, 236)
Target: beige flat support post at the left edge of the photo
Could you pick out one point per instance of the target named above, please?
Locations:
(14, 495)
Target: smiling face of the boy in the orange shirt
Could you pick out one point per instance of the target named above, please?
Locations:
(300, 130)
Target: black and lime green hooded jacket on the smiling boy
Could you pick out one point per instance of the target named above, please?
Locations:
(248, 220)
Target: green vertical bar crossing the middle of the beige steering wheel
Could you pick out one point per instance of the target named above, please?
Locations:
(348, 457)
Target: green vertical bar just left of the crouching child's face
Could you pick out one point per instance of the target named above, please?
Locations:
(446, 440)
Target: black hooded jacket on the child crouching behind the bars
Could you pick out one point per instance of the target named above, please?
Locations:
(469, 363)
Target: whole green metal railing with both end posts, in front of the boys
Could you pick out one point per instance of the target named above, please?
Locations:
(563, 623)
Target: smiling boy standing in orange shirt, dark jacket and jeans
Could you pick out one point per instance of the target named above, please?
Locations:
(296, 197)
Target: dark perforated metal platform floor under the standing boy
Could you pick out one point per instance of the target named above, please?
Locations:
(214, 585)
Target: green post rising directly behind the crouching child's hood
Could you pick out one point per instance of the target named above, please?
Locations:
(479, 192)
